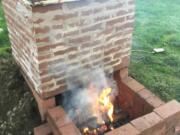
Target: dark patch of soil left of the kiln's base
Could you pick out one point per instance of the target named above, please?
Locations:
(18, 115)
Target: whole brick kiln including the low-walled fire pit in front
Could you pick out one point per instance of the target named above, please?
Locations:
(77, 45)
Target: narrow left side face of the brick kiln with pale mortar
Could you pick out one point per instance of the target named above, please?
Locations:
(20, 26)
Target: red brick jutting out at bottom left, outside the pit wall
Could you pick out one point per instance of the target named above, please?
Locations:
(42, 130)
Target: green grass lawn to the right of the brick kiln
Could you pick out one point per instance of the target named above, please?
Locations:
(157, 25)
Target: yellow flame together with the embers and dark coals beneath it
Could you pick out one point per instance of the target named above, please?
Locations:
(111, 116)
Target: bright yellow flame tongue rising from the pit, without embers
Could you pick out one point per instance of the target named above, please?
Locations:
(105, 102)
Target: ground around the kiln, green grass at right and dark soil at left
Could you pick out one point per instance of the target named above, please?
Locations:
(157, 25)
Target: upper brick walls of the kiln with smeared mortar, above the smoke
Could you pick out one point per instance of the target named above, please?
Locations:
(46, 40)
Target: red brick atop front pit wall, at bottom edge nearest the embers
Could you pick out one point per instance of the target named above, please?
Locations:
(127, 129)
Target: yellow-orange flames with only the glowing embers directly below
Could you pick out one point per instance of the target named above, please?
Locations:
(102, 109)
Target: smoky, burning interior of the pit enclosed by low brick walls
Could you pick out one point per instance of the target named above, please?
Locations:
(98, 105)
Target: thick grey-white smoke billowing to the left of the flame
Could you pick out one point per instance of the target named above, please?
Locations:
(84, 86)
